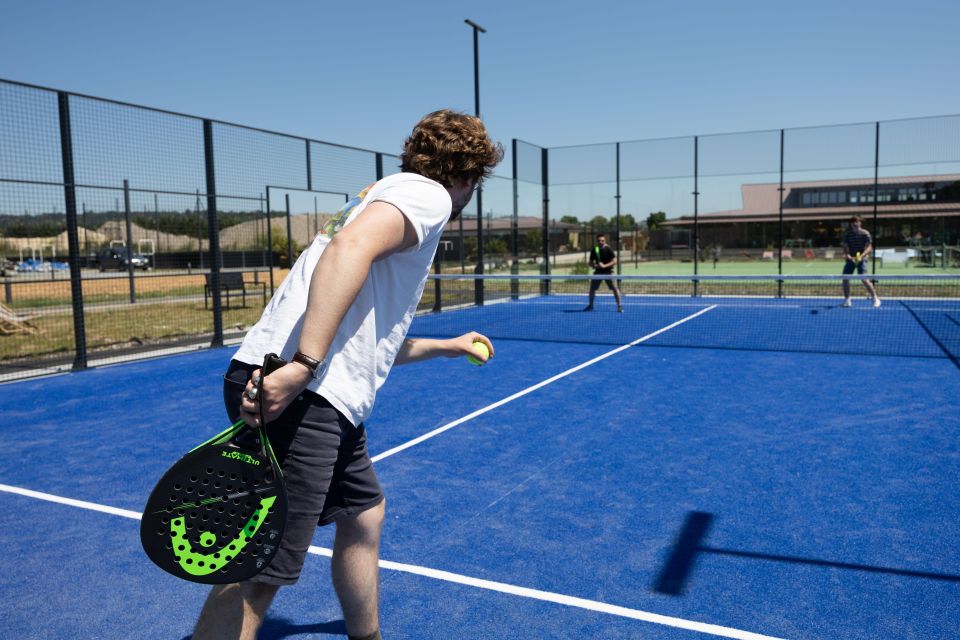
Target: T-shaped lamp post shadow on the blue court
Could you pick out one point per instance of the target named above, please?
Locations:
(678, 569)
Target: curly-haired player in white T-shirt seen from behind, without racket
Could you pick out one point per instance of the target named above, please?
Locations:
(340, 319)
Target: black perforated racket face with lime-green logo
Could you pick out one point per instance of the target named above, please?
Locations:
(216, 516)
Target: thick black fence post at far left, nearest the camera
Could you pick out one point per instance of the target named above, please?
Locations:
(73, 239)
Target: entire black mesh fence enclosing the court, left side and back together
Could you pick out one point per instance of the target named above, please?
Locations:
(126, 230)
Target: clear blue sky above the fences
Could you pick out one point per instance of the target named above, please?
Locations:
(553, 73)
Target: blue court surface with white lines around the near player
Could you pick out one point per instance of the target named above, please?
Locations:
(684, 470)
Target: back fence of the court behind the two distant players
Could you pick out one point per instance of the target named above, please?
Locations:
(772, 202)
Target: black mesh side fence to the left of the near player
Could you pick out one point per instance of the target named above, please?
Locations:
(126, 230)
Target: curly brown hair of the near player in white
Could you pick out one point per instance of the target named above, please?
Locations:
(451, 148)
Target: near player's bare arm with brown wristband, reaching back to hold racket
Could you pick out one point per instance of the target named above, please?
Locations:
(378, 231)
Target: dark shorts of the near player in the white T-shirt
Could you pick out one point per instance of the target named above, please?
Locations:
(326, 468)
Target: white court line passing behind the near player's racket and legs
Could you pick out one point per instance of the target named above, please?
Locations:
(436, 574)
